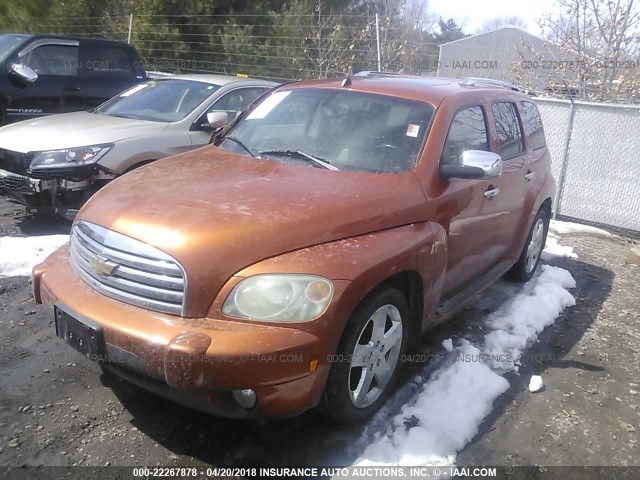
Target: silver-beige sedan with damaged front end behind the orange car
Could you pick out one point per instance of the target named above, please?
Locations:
(53, 164)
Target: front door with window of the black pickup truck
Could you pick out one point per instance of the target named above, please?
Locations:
(56, 62)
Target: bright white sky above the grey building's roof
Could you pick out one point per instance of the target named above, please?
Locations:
(473, 13)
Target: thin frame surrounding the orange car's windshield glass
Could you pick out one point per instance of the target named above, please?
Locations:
(292, 86)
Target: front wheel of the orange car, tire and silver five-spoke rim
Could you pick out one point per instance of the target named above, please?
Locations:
(368, 358)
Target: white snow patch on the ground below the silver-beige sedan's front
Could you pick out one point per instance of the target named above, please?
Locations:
(18, 255)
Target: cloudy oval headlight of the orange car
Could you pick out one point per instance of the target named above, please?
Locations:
(279, 298)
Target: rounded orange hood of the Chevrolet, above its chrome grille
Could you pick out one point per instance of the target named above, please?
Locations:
(217, 212)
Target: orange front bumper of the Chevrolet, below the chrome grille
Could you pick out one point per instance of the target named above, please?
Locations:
(194, 361)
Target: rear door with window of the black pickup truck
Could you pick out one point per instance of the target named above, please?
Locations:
(106, 70)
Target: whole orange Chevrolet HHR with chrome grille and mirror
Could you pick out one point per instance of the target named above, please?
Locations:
(293, 263)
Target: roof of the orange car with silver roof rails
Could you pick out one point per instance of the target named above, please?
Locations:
(427, 89)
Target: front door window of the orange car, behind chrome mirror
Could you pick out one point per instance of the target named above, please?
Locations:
(468, 131)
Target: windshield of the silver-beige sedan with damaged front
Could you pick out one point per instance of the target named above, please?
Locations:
(167, 100)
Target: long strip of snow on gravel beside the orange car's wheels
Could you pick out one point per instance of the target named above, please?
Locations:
(449, 408)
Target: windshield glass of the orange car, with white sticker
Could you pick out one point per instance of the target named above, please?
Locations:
(348, 130)
